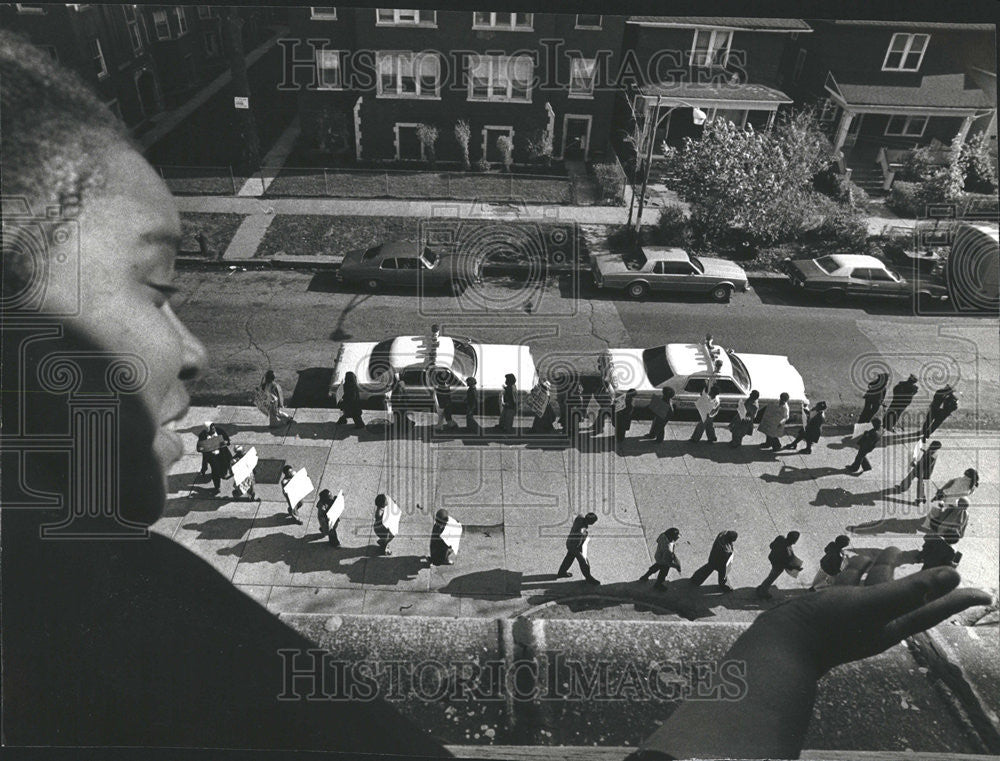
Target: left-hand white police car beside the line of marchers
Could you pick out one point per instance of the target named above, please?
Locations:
(418, 363)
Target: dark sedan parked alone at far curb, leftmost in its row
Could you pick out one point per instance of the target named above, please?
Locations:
(406, 264)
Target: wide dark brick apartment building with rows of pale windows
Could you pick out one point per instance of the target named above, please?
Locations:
(370, 76)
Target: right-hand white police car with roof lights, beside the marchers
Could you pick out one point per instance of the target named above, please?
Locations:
(687, 369)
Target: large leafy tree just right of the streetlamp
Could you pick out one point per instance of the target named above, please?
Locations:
(757, 183)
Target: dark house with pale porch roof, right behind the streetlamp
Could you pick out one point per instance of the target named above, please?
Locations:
(725, 67)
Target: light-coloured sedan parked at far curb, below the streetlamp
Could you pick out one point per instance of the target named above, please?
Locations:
(668, 270)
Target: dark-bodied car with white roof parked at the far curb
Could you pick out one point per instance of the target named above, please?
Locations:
(837, 276)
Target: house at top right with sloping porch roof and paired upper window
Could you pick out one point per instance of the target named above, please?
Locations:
(884, 87)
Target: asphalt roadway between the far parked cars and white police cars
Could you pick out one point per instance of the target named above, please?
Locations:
(295, 321)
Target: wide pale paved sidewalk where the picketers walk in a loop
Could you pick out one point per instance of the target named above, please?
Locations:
(517, 499)
